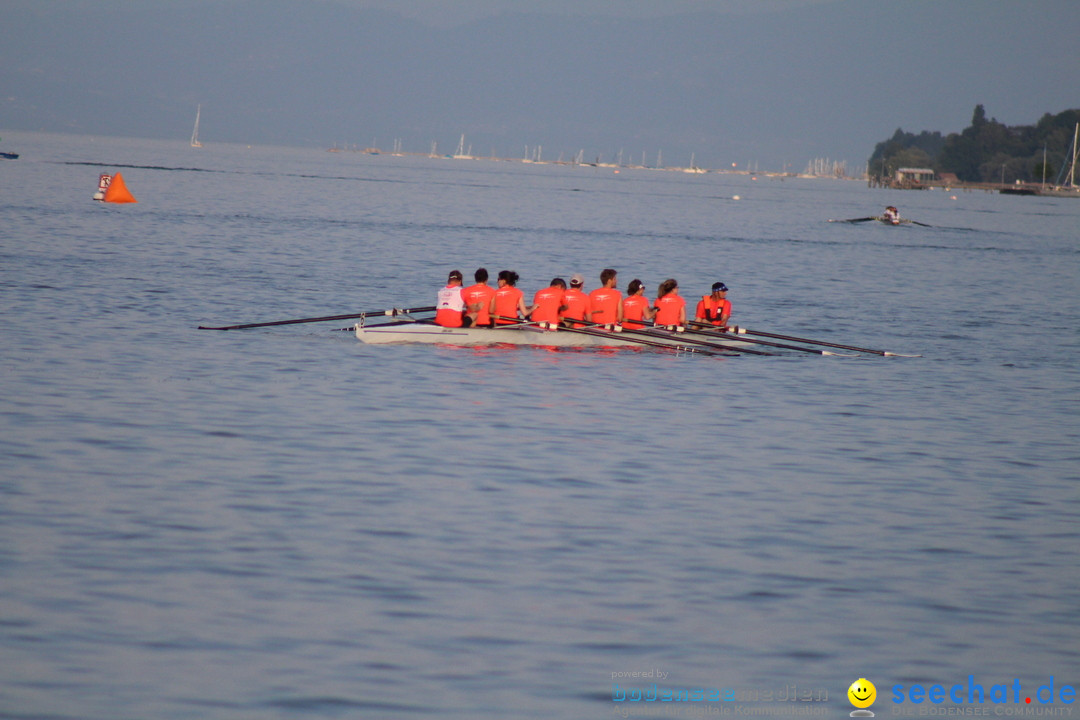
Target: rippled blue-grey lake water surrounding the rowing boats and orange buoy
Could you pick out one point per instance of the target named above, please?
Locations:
(285, 523)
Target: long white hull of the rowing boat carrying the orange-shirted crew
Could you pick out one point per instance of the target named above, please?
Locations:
(522, 335)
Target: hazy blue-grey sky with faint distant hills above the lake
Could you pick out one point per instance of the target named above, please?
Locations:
(769, 83)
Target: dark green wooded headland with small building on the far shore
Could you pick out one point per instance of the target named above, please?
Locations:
(985, 152)
